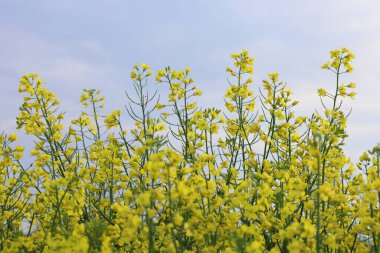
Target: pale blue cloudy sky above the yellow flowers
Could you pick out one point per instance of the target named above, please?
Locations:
(93, 44)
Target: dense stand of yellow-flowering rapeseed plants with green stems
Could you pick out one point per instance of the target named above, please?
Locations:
(256, 178)
